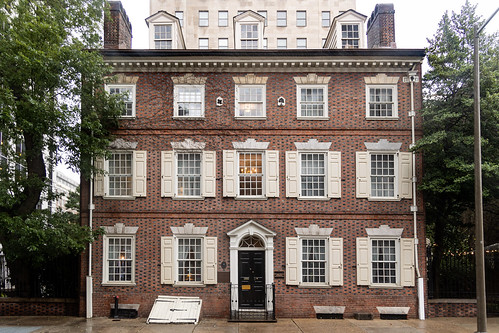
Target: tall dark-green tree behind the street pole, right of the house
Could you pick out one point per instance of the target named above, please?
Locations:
(447, 145)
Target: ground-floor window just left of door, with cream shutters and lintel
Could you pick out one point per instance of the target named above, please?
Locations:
(189, 257)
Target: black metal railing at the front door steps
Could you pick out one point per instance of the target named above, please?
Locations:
(264, 313)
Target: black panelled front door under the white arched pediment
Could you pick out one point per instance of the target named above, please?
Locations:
(252, 279)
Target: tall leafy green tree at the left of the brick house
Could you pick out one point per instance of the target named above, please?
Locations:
(52, 110)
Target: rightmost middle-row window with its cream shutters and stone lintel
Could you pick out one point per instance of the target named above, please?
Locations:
(384, 173)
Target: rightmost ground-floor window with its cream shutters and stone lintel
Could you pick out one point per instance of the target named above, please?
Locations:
(384, 258)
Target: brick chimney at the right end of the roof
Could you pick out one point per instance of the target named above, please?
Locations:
(381, 27)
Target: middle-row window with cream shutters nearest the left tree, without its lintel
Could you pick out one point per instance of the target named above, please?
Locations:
(125, 175)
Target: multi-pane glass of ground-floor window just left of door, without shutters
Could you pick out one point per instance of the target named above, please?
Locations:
(189, 260)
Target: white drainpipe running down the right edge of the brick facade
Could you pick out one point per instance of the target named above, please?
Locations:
(413, 77)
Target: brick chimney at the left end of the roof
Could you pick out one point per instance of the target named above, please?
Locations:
(117, 28)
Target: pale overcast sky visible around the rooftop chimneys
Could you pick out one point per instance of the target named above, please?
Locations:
(415, 21)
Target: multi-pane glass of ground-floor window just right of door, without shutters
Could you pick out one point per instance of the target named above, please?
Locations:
(313, 260)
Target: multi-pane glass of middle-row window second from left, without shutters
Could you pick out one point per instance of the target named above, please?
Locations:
(189, 174)
